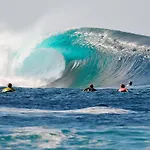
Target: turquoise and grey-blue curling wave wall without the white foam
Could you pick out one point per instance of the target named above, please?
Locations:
(94, 55)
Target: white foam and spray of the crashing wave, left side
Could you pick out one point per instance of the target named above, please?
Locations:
(15, 47)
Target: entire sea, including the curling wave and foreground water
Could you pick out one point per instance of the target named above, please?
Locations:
(49, 109)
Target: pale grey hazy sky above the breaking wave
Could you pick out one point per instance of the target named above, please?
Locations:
(125, 15)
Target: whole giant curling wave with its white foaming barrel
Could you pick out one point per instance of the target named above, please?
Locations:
(78, 57)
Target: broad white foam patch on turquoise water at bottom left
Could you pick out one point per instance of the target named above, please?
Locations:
(45, 137)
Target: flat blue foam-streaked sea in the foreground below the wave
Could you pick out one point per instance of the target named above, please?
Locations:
(70, 119)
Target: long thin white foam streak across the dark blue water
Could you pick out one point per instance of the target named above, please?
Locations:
(89, 110)
